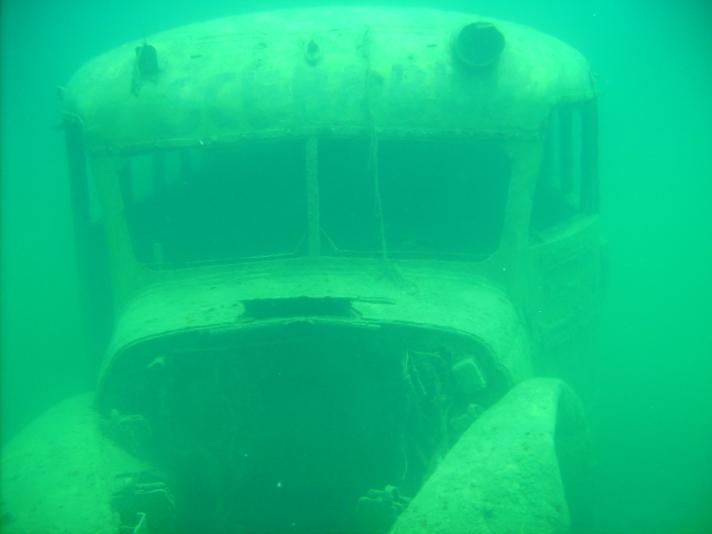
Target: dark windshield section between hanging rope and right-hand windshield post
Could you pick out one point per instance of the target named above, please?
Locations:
(443, 197)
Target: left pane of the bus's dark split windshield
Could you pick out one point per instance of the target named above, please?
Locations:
(207, 204)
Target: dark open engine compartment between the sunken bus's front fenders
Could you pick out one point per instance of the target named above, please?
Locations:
(300, 427)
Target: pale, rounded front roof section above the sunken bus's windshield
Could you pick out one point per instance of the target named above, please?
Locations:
(321, 71)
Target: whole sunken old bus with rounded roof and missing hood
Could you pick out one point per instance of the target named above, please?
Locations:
(350, 253)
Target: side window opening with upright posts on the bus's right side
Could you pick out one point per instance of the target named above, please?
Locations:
(567, 186)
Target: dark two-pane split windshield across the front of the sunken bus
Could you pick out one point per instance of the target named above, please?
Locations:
(407, 198)
